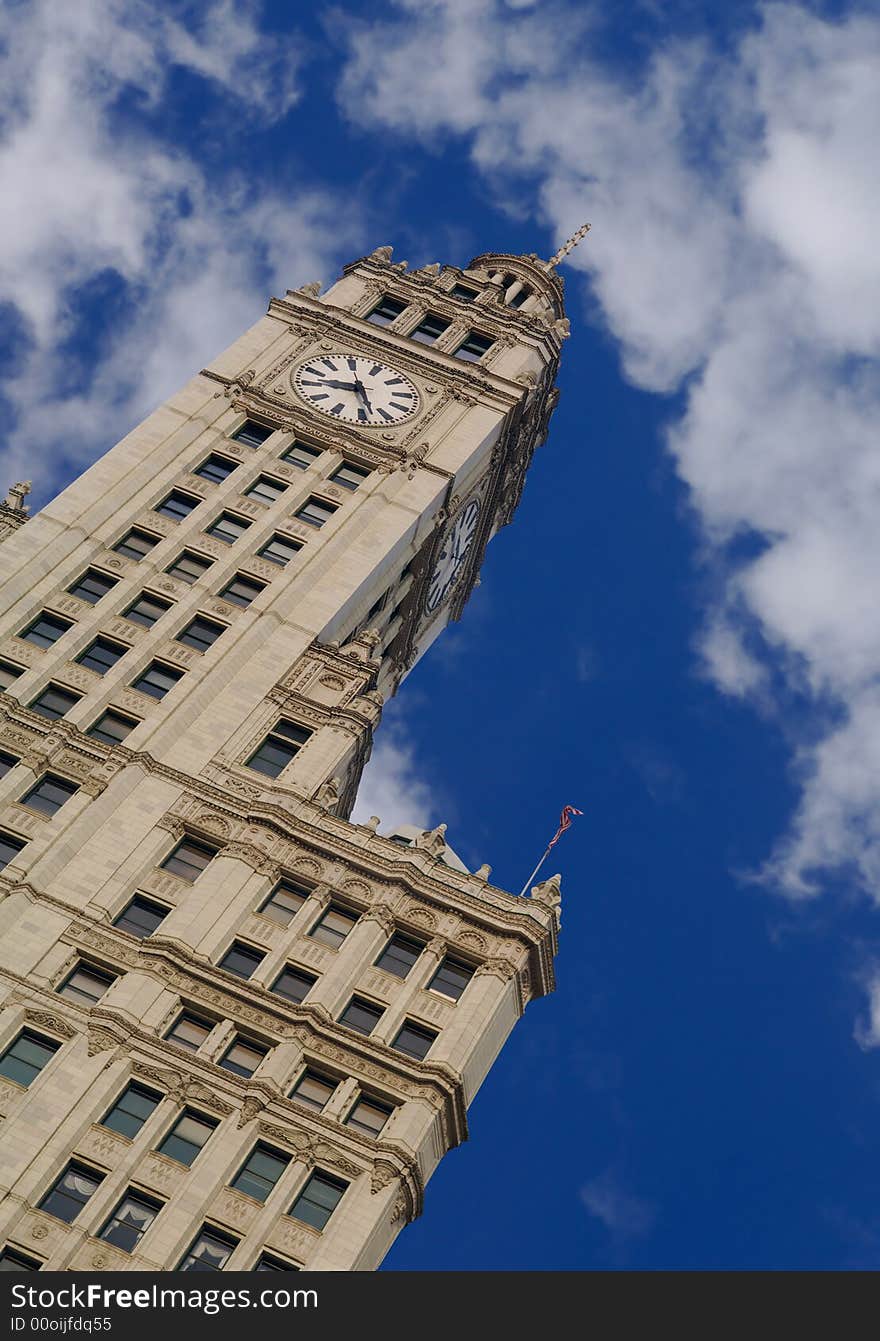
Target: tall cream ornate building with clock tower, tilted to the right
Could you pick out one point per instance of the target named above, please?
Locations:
(238, 1031)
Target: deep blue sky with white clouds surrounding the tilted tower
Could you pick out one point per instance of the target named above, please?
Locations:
(697, 550)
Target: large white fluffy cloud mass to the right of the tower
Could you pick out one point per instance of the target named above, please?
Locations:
(734, 200)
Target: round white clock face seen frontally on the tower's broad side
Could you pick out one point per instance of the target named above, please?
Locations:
(356, 390)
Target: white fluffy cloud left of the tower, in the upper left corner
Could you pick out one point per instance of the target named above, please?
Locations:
(101, 206)
